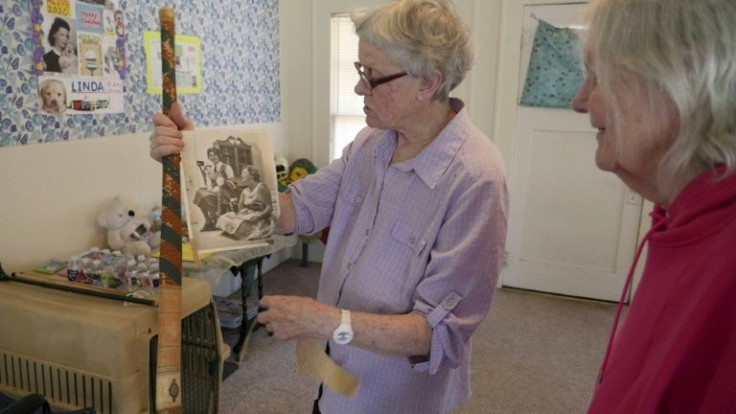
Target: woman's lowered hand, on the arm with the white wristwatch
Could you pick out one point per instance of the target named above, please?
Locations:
(292, 317)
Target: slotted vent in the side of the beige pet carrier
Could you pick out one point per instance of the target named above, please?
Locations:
(58, 384)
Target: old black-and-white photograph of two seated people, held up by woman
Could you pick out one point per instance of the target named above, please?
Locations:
(230, 188)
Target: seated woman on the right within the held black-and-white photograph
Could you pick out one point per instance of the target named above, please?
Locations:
(253, 218)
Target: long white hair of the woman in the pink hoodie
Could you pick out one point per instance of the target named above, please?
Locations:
(685, 49)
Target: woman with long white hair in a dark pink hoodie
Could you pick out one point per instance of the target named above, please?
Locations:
(661, 91)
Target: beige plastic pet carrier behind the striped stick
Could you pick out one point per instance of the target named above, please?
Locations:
(83, 351)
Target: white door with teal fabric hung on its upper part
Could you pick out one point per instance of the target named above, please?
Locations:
(573, 229)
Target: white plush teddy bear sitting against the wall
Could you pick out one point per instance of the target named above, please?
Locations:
(126, 232)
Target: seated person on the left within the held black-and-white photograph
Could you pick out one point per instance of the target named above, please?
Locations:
(214, 198)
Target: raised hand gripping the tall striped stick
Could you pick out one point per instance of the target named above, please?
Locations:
(166, 136)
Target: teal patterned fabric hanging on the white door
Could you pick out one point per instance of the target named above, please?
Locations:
(555, 73)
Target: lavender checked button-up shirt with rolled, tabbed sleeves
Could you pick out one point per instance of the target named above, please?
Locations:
(424, 235)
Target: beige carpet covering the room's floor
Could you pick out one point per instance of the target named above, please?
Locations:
(534, 353)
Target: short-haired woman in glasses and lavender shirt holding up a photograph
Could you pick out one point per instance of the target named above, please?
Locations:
(417, 207)
